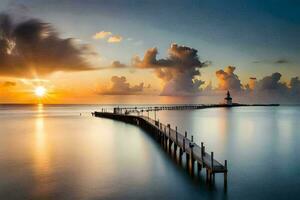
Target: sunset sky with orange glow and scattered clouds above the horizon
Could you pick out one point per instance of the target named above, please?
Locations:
(140, 51)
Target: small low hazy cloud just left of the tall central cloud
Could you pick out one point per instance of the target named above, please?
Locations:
(120, 86)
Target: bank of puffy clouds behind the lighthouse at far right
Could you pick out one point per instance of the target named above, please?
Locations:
(269, 89)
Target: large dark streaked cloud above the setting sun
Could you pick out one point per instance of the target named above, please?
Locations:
(33, 48)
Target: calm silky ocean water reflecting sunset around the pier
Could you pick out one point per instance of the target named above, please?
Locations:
(62, 152)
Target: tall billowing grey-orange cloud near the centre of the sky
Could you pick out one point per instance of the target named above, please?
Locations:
(179, 71)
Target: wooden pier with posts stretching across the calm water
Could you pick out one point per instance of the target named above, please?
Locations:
(170, 139)
